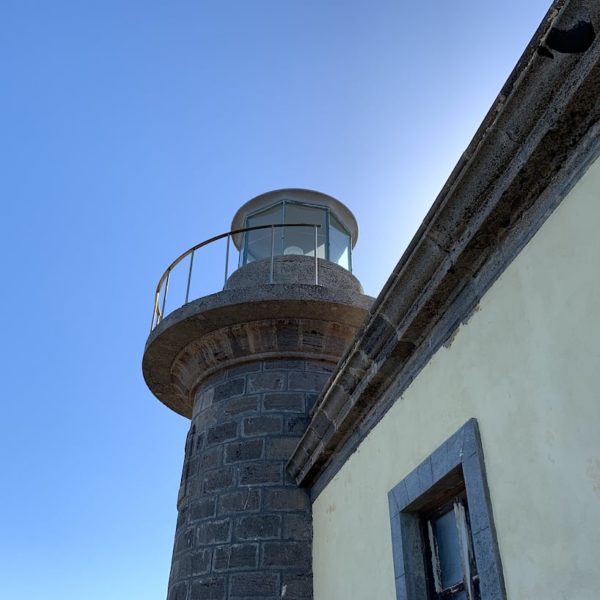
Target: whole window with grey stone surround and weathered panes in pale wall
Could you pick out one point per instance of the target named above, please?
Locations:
(443, 537)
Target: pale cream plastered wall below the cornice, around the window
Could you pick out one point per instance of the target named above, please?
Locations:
(526, 365)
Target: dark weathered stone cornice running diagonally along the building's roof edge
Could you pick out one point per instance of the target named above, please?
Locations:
(540, 134)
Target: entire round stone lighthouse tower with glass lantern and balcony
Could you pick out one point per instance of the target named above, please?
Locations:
(246, 365)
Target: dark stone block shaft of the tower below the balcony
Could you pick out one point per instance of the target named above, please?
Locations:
(244, 528)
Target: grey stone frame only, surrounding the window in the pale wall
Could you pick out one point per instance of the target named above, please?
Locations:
(456, 463)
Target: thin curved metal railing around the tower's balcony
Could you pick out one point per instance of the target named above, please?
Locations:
(162, 288)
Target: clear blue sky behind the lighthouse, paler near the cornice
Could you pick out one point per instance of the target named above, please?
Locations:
(133, 130)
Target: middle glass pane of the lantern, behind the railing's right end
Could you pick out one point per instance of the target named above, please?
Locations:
(301, 240)
